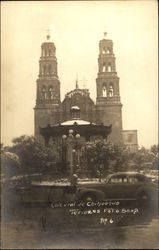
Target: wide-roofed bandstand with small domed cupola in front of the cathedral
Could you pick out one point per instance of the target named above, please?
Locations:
(72, 131)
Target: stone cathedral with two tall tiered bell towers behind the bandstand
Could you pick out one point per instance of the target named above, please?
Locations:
(51, 110)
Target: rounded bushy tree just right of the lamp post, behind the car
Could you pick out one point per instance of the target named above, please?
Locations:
(101, 155)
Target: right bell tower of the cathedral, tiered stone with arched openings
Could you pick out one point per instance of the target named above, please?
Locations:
(108, 94)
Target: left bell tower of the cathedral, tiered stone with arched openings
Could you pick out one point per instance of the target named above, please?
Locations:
(48, 87)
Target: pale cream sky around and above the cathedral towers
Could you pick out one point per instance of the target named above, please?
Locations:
(76, 28)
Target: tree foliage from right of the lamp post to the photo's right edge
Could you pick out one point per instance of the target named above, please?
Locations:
(111, 157)
